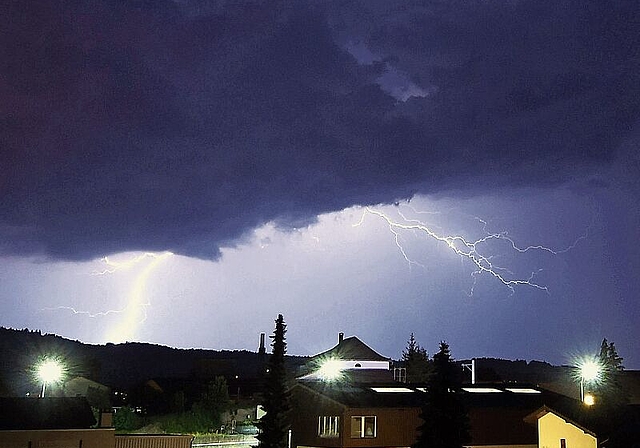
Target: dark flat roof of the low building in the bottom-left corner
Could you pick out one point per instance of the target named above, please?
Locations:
(45, 413)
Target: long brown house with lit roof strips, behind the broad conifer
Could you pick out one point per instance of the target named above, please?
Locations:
(339, 414)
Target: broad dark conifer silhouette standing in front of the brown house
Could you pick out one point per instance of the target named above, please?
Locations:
(445, 420)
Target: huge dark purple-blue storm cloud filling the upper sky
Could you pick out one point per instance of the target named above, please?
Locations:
(182, 125)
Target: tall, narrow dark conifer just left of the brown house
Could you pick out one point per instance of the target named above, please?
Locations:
(274, 425)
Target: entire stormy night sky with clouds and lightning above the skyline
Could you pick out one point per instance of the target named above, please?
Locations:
(466, 170)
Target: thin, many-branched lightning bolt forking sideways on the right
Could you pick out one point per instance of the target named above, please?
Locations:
(475, 251)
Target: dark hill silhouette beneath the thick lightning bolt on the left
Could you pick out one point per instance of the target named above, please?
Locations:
(119, 366)
